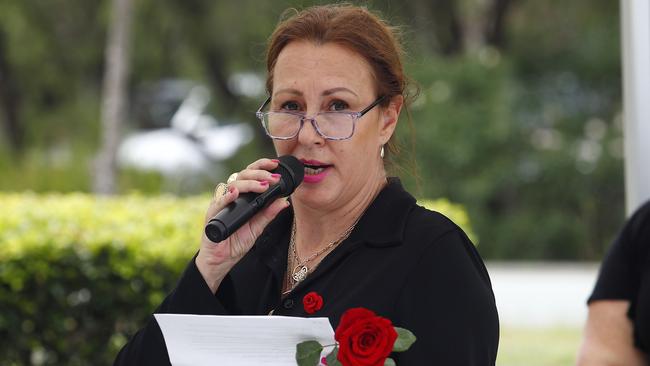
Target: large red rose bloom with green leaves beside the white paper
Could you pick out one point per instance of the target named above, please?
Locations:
(365, 339)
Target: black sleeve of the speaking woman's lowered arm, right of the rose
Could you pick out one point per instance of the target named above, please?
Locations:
(448, 304)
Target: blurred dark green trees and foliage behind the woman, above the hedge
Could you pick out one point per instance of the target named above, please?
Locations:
(518, 119)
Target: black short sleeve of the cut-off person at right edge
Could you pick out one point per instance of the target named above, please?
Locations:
(620, 272)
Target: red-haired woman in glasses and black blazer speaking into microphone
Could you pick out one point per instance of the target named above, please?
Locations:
(349, 233)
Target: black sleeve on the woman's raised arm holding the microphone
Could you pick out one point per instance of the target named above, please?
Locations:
(191, 296)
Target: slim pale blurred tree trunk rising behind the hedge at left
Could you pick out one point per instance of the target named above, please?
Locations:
(114, 98)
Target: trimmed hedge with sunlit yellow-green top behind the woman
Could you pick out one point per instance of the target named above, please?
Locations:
(79, 274)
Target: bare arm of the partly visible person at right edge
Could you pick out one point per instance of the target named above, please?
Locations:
(608, 339)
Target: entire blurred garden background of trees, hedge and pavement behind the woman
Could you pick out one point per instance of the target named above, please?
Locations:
(106, 121)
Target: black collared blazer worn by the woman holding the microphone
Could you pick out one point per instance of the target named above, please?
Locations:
(402, 261)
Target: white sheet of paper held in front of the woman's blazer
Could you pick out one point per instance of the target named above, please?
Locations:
(239, 340)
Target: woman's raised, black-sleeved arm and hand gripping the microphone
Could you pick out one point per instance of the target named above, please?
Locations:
(205, 287)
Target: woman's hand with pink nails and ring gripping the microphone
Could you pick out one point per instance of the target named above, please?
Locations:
(214, 261)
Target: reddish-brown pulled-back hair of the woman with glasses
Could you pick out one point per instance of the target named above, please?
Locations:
(352, 27)
